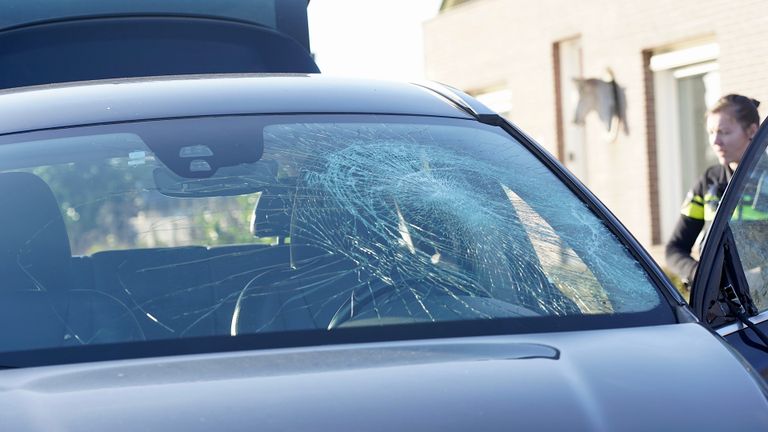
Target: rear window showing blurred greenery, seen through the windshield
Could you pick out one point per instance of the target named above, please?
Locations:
(110, 206)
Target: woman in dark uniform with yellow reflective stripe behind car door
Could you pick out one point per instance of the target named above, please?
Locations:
(731, 124)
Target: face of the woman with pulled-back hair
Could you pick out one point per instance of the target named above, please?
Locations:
(727, 137)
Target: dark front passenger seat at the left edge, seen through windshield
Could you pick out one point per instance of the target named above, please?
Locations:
(39, 307)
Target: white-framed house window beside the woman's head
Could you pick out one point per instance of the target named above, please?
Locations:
(686, 83)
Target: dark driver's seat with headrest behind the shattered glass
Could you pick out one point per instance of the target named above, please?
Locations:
(305, 291)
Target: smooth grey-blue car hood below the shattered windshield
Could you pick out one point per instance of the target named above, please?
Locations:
(652, 378)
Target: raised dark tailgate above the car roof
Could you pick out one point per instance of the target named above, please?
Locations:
(100, 40)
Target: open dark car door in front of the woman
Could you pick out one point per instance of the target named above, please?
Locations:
(730, 291)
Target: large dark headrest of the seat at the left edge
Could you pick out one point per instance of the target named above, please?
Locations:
(34, 247)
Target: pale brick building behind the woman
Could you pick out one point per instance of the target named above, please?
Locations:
(670, 60)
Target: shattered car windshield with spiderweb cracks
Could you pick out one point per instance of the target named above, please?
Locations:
(227, 226)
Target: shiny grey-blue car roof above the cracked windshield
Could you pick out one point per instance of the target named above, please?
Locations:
(118, 100)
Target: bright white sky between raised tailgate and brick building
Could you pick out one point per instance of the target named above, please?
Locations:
(368, 38)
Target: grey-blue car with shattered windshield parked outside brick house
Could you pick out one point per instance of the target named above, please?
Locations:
(296, 252)
